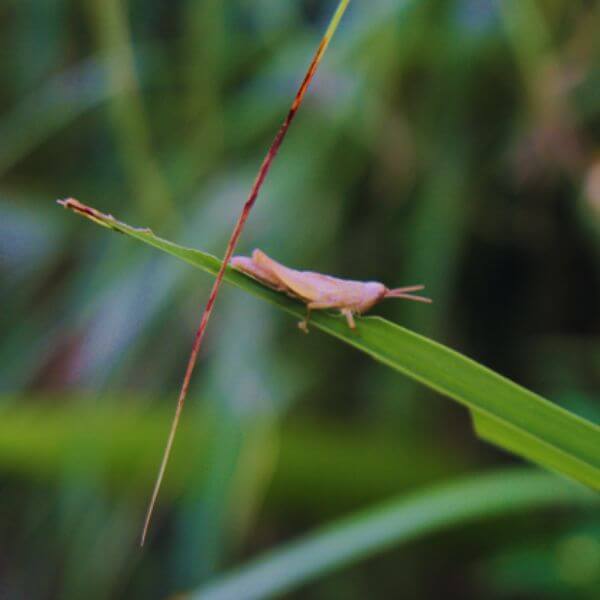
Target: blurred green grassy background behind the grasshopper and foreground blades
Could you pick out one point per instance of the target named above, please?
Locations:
(450, 143)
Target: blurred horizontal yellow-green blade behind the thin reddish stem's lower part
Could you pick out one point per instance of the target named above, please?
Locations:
(44, 438)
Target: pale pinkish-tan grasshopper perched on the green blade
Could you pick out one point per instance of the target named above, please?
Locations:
(319, 291)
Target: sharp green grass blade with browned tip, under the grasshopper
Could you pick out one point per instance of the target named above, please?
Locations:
(505, 413)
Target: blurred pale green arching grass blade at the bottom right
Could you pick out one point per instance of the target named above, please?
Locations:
(366, 533)
